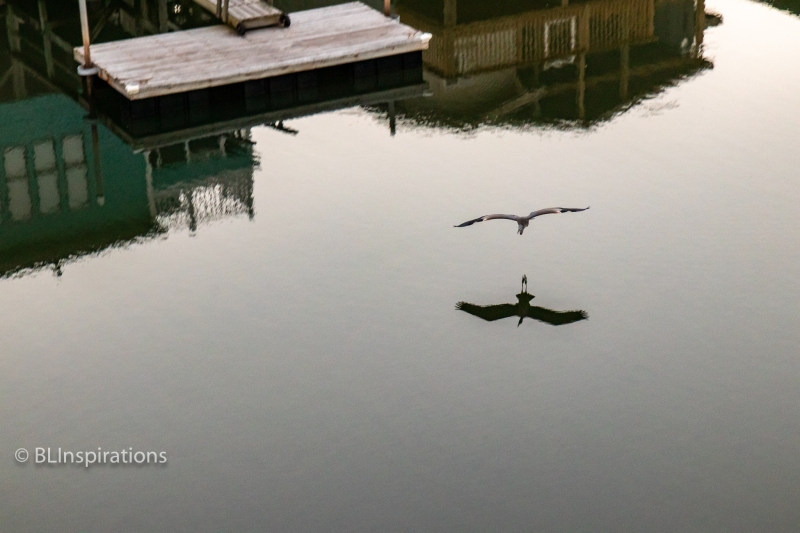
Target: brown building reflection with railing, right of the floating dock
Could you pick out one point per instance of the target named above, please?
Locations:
(515, 63)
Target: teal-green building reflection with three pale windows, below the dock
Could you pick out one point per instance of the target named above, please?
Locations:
(72, 188)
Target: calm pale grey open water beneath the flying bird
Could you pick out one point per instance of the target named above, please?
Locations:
(305, 368)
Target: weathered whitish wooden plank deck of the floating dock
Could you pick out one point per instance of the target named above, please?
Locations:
(182, 61)
